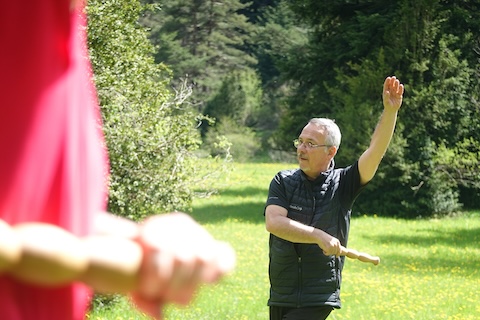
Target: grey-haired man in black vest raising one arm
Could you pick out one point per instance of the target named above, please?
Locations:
(308, 214)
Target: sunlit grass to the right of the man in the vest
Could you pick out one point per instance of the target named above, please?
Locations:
(429, 270)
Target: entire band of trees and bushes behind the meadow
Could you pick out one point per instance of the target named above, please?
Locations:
(186, 72)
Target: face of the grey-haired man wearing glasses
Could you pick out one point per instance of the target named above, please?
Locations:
(315, 158)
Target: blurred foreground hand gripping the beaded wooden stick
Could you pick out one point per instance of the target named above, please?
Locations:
(179, 255)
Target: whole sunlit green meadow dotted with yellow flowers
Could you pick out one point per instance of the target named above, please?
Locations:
(429, 268)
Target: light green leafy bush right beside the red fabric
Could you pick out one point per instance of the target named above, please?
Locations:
(150, 131)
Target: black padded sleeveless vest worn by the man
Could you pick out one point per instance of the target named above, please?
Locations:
(300, 274)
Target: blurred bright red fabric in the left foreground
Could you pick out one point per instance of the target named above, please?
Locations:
(52, 163)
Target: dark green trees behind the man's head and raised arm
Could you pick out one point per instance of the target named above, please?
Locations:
(340, 75)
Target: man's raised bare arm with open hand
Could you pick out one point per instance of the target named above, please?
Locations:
(371, 158)
